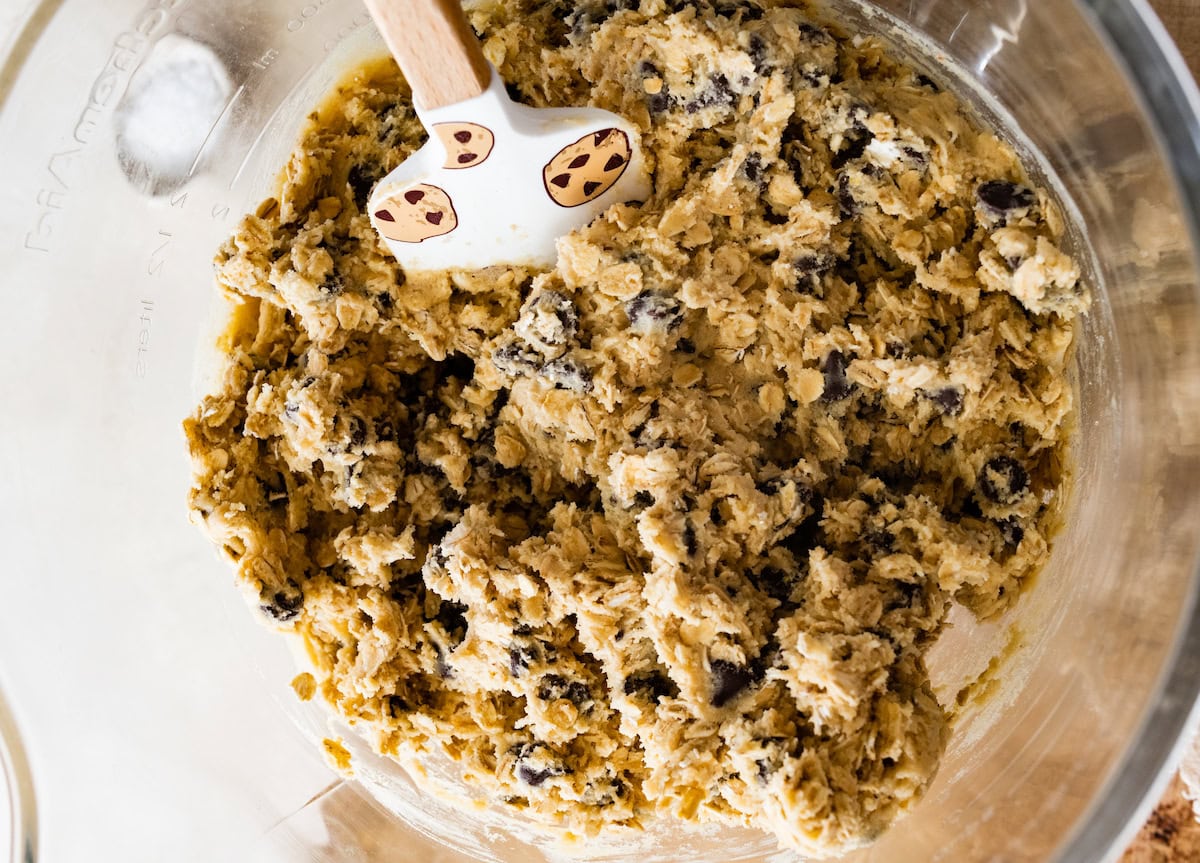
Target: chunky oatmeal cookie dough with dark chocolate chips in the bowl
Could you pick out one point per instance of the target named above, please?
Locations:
(670, 529)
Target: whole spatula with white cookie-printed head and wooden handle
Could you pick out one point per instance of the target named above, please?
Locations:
(497, 183)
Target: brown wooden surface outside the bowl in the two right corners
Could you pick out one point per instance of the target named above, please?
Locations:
(1173, 835)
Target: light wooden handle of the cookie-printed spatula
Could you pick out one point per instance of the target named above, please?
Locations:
(436, 49)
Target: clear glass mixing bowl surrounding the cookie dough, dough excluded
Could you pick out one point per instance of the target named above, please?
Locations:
(142, 711)
